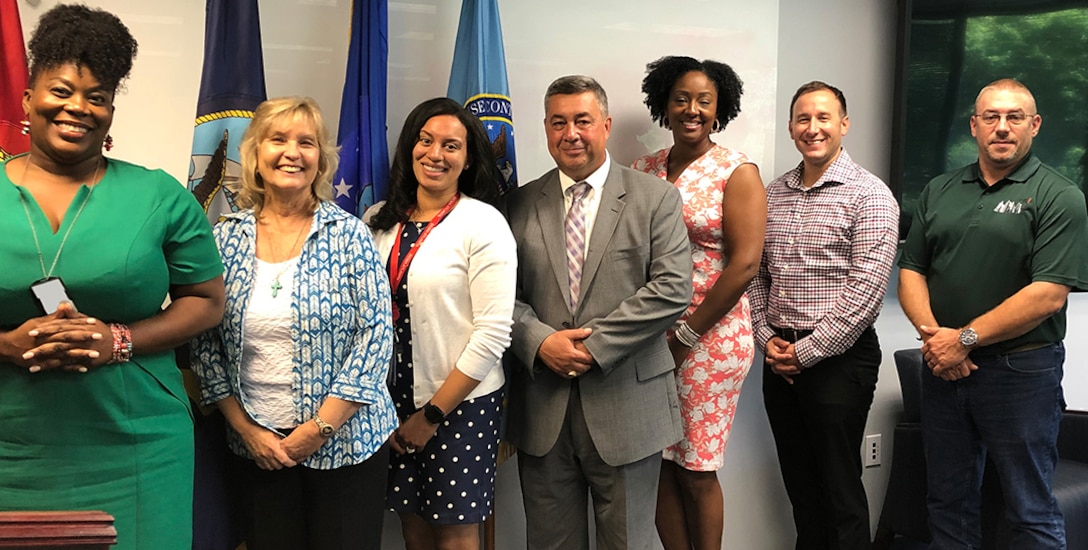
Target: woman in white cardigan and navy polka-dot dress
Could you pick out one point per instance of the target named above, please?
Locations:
(453, 267)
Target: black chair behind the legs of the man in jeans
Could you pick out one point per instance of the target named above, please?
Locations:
(905, 508)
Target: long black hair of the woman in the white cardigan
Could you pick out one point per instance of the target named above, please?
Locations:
(480, 180)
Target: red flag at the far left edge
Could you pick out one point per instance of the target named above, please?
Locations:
(14, 79)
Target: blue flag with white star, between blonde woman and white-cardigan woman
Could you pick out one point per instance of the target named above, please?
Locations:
(363, 178)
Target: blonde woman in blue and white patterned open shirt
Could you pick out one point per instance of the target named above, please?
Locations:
(299, 366)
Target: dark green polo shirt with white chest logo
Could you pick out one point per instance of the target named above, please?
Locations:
(978, 245)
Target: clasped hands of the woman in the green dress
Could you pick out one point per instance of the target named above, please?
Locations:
(65, 340)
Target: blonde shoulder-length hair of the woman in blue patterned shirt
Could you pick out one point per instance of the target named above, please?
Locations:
(251, 189)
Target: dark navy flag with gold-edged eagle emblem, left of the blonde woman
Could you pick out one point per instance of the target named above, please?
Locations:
(232, 85)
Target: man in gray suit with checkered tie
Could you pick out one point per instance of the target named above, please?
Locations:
(604, 269)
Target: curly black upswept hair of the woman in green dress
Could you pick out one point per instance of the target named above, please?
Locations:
(91, 39)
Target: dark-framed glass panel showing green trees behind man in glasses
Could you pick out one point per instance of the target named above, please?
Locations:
(953, 49)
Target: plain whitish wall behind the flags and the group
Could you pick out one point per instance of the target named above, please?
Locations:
(775, 46)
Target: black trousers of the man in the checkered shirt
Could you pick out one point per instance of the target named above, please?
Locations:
(819, 423)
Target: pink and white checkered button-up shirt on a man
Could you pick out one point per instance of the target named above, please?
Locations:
(826, 259)
